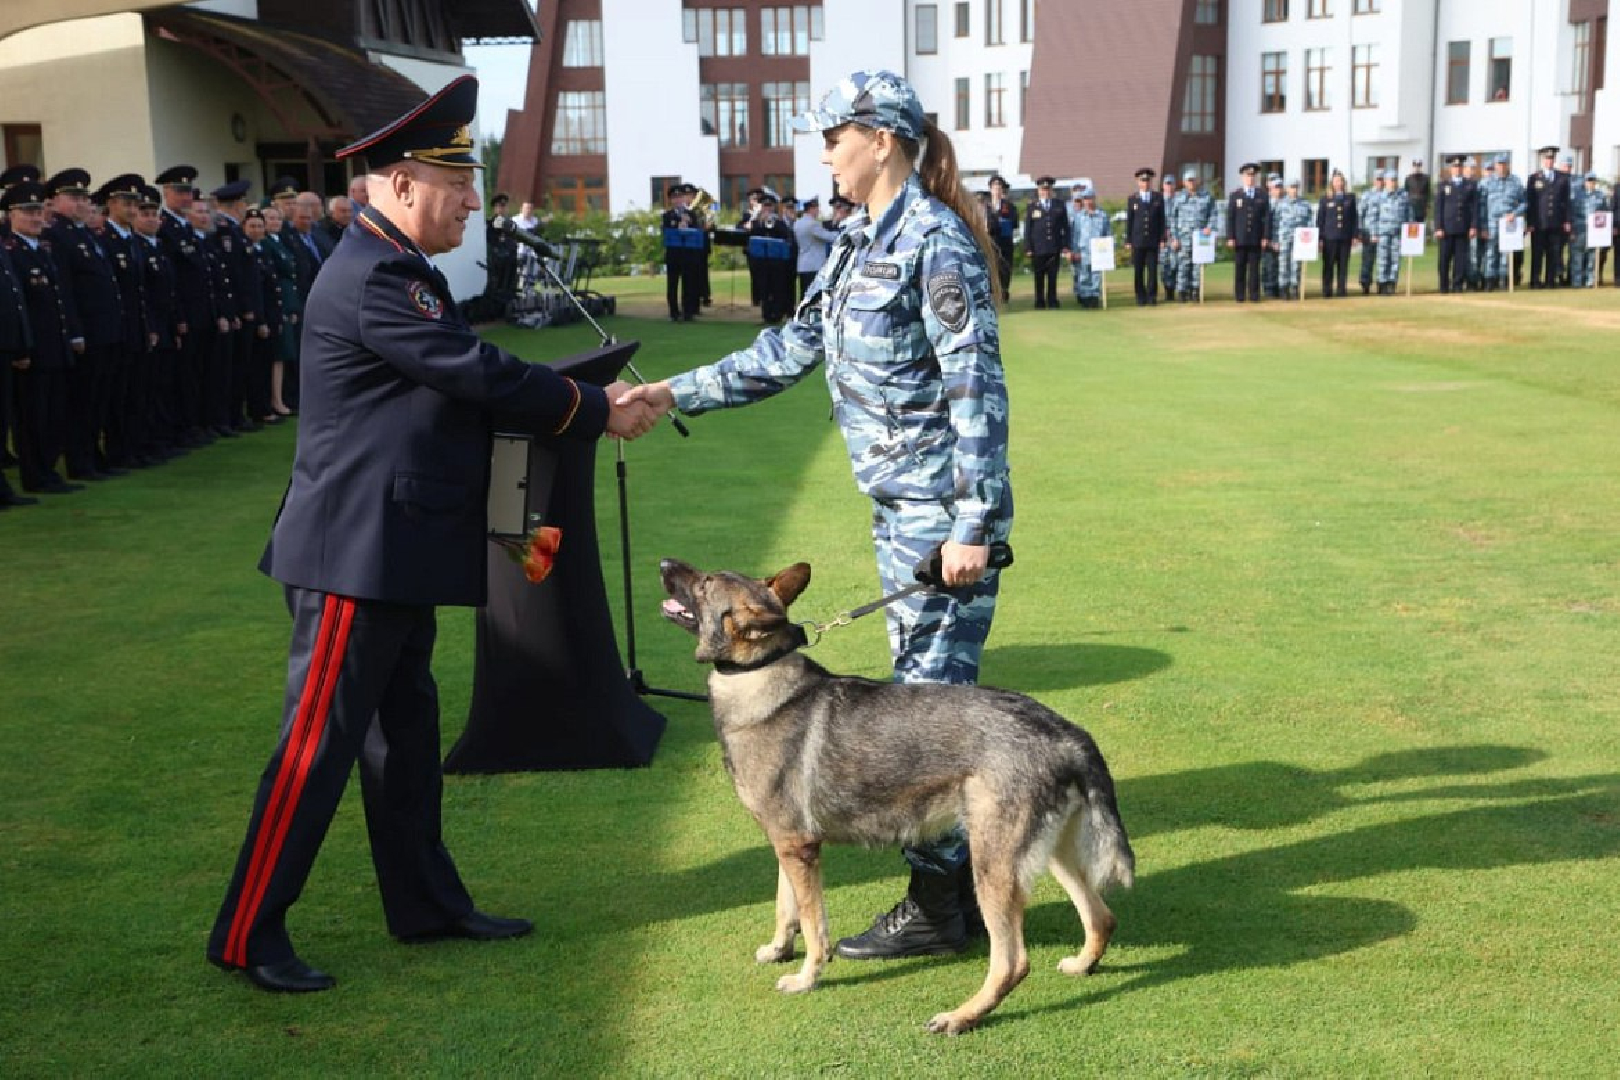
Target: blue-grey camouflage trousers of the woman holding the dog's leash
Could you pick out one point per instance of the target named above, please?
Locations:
(934, 637)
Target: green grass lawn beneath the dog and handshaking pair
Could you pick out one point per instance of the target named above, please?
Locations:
(1332, 585)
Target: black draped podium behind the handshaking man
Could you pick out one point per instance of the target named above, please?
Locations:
(550, 689)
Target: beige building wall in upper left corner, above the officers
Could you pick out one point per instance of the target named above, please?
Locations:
(87, 85)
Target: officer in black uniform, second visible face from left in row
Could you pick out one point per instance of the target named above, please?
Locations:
(87, 274)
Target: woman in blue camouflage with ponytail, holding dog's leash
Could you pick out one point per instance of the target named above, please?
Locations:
(903, 317)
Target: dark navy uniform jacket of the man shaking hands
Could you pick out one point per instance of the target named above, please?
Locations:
(391, 477)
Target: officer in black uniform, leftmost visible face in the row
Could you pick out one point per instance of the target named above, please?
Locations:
(43, 381)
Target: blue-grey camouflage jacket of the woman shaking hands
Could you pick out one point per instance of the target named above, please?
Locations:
(905, 318)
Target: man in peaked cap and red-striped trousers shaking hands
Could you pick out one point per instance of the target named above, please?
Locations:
(383, 522)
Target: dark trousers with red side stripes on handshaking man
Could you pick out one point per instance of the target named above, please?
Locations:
(359, 687)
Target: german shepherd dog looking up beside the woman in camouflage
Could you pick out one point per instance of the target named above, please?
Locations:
(832, 759)
